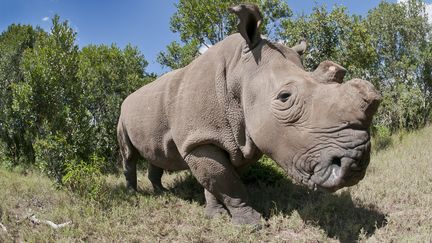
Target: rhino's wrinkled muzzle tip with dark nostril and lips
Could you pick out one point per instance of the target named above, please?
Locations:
(341, 170)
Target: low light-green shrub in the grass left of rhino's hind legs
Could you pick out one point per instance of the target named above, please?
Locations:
(86, 178)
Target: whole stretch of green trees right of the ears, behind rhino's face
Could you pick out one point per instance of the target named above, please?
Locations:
(390, 47)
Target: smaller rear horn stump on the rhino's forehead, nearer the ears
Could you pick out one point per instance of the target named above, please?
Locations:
(329, 71)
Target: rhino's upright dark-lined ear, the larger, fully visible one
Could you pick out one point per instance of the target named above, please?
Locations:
(250, 19)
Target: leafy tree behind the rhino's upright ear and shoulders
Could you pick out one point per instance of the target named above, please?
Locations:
(207, 22)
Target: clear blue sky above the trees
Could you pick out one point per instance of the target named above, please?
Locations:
(142, 23)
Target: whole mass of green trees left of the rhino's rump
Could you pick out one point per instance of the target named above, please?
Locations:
(60, 103)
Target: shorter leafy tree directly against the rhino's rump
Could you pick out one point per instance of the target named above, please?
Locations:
(107, 75)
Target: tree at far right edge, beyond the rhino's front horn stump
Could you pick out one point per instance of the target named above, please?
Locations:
(400, 33)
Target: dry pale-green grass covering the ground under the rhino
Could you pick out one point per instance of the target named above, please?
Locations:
(392, 204)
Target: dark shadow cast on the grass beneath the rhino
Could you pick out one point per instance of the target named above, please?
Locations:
(336, 214)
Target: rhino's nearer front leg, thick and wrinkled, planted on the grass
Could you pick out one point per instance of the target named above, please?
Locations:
(211, 166)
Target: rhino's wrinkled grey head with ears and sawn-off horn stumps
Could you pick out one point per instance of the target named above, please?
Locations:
(311, 123)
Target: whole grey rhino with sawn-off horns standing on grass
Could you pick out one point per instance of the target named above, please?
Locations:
(244, 97)
